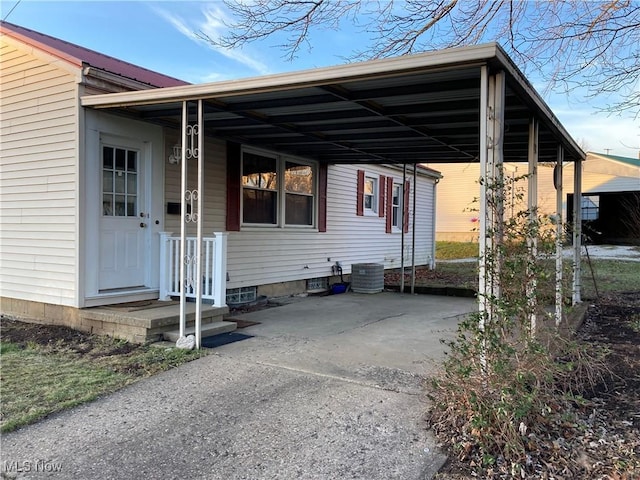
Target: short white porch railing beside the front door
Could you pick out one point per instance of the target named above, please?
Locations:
(214, 267)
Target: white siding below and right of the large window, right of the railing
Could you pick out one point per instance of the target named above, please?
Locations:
(265, 257)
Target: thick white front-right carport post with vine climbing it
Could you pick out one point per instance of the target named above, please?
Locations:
(492, 95)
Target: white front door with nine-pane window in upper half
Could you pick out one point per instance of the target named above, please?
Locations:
(123, 240)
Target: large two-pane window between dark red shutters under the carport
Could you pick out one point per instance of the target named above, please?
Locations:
(277, 191)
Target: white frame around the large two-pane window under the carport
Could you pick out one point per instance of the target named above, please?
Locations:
(281, 193)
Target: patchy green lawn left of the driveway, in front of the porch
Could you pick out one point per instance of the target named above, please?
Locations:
(37, 380)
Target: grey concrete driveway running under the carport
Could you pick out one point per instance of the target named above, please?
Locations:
(327, 388)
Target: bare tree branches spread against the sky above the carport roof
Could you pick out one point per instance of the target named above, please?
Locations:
(571, 43)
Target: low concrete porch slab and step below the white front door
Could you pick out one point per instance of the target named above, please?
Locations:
(150, 323)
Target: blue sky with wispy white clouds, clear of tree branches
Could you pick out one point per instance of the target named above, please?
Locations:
(160, 36)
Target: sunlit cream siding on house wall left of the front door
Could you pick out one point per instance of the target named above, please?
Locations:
(38, 178)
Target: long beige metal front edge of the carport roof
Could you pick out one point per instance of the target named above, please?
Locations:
(476, 54)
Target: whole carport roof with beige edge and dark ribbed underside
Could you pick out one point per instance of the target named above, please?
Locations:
(422, 108)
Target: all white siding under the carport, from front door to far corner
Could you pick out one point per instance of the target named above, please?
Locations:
(258, 256)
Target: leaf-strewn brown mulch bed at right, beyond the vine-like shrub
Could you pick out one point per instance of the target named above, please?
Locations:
(604, 443)
